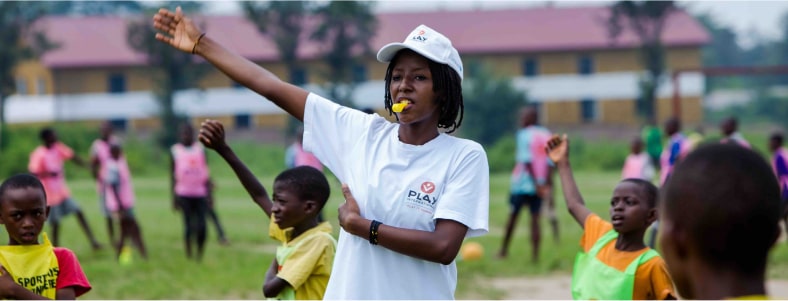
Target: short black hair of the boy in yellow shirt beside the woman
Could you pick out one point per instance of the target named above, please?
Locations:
(307, 183)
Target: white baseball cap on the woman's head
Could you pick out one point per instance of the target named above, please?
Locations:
(429, 43)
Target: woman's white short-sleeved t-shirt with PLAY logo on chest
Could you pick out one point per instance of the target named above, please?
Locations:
(400, 185)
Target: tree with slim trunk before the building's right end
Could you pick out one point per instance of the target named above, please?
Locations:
(647, 20)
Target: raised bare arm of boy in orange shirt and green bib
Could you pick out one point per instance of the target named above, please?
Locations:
(558, 150)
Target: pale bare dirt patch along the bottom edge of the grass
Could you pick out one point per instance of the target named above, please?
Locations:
(558, 287)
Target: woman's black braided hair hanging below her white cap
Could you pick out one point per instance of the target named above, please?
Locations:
(446, 83)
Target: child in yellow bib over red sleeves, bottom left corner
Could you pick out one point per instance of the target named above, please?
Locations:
(33, 269)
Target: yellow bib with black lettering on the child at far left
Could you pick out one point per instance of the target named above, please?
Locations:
(34, 267)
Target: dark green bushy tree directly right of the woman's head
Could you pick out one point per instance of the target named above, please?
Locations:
(493, 101)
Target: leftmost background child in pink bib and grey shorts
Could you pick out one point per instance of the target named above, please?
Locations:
(46, 162)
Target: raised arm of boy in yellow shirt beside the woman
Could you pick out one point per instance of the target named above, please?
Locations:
(212, 136)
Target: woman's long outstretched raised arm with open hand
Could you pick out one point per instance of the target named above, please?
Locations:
(181, 33)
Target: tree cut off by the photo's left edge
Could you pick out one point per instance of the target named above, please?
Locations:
(20, 41)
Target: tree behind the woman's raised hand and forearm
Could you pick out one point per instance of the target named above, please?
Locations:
(172, 70)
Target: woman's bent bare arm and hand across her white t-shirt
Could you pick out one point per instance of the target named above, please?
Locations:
(441, 245)
